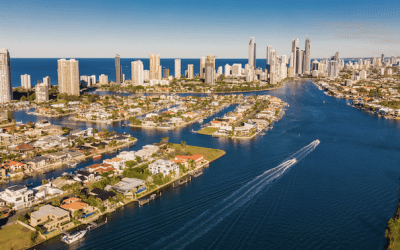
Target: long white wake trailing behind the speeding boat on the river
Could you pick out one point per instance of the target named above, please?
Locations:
(211, 217)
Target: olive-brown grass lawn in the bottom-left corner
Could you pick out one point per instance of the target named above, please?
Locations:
(15, 237)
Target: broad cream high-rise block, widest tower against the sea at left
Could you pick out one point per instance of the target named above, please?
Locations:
(68, 76)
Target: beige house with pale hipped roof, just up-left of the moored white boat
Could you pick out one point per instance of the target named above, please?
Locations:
(50, 217)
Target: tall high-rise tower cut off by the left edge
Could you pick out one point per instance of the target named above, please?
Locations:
(5, 77)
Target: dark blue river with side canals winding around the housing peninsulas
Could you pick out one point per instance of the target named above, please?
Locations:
(340, 196)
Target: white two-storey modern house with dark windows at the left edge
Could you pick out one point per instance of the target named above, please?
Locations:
(18, 196)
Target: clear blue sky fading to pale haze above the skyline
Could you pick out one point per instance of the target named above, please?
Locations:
(192, 29)
